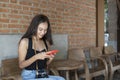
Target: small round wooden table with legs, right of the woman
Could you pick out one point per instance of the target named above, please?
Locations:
(67, 65)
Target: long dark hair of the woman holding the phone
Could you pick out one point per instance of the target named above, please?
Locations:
(32, 29)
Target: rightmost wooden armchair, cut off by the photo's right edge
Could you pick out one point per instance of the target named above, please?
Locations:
(113, 60)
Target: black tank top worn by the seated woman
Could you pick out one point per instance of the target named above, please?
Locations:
(42, 64)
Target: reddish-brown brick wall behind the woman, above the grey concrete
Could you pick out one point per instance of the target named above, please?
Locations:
(77, 18)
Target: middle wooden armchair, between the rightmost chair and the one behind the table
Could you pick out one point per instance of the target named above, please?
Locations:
(98, 63)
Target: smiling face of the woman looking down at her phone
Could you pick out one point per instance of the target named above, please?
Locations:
(42, 29)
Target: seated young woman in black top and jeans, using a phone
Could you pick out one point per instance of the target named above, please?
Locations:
(33, 50)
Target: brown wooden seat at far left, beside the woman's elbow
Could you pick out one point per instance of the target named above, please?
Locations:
(10, 69)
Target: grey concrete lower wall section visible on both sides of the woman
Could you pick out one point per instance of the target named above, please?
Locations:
(9, 46)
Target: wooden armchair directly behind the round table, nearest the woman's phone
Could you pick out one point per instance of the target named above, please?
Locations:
(78, 54)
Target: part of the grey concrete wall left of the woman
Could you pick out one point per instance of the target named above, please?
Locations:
(8, 46)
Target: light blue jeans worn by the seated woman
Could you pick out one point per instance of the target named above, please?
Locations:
(30, 75)
